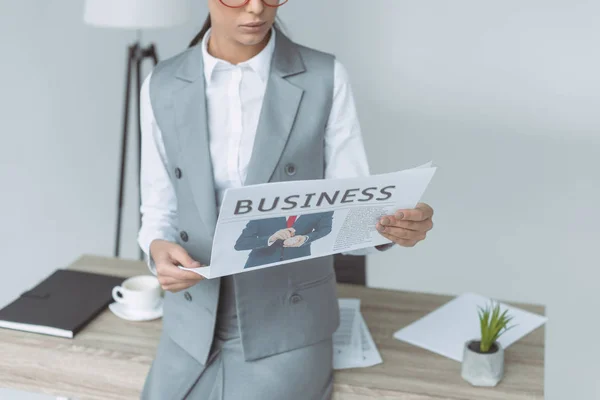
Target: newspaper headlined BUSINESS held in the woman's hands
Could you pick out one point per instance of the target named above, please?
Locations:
(276, 223)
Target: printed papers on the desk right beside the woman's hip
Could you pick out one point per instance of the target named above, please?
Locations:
(353, 345)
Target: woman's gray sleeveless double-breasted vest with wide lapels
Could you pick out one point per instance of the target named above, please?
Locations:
(279, 308)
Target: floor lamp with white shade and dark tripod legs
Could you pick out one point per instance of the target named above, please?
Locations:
(134, 15)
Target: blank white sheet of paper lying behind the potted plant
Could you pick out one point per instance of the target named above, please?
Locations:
(446, 329)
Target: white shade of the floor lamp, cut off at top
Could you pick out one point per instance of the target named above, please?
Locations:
(136, 14)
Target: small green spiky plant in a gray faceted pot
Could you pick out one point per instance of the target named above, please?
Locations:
(483, 359)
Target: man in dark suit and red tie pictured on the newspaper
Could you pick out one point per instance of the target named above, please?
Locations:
(280, 238)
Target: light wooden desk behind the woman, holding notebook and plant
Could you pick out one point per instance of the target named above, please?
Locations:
(110, 358)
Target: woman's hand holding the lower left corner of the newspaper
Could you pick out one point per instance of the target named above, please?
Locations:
(167, 257)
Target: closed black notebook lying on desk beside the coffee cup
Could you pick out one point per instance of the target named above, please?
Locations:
(62, 304)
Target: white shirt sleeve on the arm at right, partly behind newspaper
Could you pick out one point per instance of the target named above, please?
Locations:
(345, 155)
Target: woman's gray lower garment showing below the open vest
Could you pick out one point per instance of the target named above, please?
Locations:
(301, 374)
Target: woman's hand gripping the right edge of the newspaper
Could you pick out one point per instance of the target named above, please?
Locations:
(407, 227)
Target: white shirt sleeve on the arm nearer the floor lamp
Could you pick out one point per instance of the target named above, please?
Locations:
(158, 199)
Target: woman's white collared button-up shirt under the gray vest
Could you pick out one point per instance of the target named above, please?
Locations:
(234, 96)
